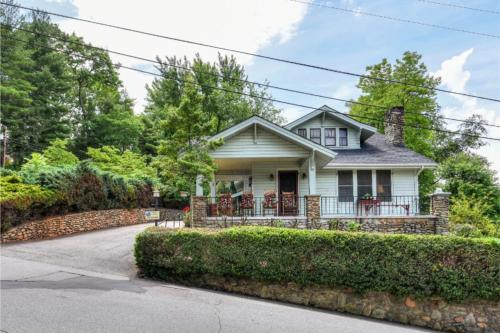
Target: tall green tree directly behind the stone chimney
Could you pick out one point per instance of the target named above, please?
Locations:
(421, 108)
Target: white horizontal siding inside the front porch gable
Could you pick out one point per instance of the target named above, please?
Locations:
(267, 145)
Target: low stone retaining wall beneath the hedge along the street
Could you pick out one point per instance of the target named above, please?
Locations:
(435, 313)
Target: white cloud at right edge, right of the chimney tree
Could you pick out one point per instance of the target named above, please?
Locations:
(455, 77)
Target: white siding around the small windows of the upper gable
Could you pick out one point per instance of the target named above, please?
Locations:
(316, 122)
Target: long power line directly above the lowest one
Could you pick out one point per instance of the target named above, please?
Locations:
(239, 80)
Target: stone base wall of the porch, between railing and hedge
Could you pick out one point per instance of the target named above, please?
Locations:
(402, 225)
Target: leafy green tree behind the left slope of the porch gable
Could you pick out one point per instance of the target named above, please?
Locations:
(225, 96)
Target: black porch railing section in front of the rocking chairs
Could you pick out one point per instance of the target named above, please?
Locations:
(259, 207)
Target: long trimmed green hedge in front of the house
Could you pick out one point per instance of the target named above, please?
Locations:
(454, 268)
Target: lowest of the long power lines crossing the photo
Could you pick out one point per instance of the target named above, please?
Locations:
(277, 100)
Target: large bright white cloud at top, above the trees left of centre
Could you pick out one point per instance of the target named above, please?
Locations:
(244, 25)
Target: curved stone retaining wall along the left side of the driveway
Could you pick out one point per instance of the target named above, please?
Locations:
(73, 223)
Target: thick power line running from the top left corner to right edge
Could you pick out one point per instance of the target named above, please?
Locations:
(293, 62)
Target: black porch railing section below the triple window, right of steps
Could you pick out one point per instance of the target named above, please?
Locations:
(374, 206)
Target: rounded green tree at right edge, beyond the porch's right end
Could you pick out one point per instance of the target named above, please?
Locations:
(469, 175)
